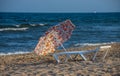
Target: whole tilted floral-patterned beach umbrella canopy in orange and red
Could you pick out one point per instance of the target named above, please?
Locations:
(54, 38)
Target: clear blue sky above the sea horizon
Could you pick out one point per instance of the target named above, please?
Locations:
(59, 5)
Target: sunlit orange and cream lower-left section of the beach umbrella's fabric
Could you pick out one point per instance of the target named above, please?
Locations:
(45, 45)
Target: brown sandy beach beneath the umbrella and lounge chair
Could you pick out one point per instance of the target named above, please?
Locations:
(32, 65)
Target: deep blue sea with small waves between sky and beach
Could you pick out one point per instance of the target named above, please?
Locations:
(20, 32)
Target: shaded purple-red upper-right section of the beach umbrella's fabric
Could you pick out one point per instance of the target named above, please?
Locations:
(62, 32)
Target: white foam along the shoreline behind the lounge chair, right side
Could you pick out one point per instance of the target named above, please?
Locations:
(93, 44)
